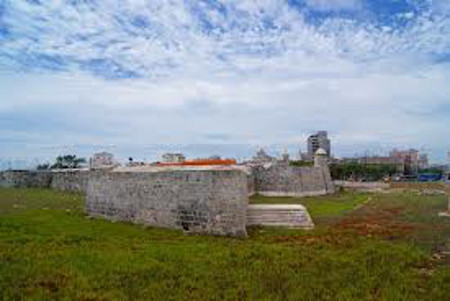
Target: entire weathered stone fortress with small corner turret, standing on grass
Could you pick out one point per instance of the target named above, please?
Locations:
(208, 199)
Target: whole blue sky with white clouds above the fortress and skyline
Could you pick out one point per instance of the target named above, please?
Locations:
(141, 77)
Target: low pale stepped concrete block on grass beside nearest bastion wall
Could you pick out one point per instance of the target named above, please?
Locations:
(292, 216)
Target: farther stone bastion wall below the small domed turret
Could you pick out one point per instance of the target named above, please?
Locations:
(283, 180)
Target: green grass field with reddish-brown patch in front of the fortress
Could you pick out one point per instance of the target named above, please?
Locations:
(392, 247)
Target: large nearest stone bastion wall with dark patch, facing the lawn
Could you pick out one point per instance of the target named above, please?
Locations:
(200, 201)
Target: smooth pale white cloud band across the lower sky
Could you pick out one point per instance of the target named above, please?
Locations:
(372, 109)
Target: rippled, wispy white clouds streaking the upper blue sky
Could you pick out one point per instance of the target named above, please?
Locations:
(172, 37)
